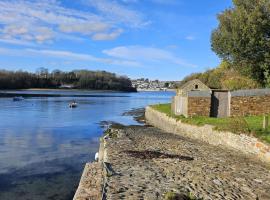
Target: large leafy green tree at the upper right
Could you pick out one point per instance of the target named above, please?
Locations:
(243, 38)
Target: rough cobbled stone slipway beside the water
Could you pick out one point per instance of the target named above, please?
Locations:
(175, 163)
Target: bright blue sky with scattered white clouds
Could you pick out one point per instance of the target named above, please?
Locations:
(156, 39)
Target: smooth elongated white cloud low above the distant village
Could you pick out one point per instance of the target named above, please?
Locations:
(146, 54)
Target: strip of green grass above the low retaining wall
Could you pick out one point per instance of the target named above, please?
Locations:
(250, 125)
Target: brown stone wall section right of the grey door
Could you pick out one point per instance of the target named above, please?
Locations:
(249, 105)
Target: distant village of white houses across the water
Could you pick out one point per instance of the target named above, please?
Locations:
(143, 84)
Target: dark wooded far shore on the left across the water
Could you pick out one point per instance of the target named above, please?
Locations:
(81, 79)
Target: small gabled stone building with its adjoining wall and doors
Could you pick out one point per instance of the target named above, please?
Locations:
(196, 99)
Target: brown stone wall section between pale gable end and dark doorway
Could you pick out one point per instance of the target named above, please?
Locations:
(199, 106)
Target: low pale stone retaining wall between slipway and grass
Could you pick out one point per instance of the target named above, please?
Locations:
(246, 144)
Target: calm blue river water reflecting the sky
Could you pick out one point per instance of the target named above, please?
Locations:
(44, 144)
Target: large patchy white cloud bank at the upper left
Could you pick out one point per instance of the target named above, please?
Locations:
(45, 20)
